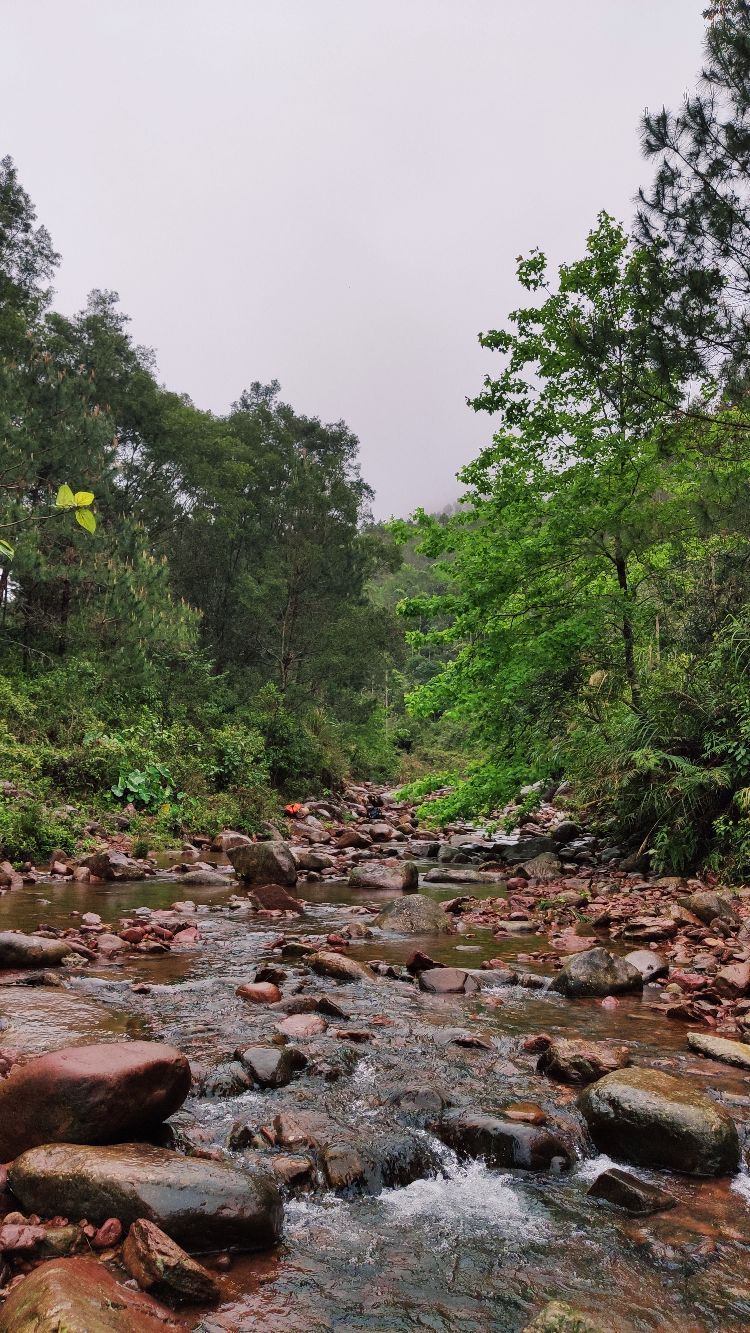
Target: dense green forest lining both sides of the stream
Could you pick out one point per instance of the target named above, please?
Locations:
(199, 615)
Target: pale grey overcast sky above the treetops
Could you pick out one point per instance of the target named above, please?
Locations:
(332, 193)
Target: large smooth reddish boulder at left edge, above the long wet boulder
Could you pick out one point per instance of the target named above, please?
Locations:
(91, 1095)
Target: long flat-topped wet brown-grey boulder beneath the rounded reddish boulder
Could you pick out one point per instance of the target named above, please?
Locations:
(200, 1204)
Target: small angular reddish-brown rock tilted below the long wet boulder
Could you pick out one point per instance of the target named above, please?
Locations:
(162, 1267)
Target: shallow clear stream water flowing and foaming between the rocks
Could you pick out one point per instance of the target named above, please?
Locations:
(466, 1250)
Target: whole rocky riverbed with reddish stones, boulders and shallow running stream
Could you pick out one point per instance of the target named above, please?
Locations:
(378, 1079)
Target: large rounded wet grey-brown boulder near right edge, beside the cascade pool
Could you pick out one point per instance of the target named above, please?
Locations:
(652, 1119)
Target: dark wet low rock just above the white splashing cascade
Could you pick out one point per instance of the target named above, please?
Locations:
(502, 1143)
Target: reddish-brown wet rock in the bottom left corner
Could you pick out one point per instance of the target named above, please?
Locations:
(79, 1296)
